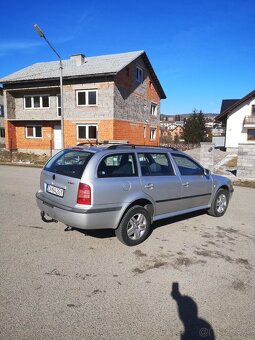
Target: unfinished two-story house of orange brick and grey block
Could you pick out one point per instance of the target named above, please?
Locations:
(110, 97)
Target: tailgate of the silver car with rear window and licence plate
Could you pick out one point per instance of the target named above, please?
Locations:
(61, 176)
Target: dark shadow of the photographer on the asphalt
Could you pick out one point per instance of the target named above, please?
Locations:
(195, 328)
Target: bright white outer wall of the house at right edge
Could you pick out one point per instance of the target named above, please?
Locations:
(235, 131)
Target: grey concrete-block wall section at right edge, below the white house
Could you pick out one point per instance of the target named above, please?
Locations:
(246, 161)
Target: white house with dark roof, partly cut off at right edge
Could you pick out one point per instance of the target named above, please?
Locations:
(238, 116)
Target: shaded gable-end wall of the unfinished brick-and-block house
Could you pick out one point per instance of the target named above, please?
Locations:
(132, 102)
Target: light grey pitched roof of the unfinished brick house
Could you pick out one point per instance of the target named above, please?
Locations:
(92, 66)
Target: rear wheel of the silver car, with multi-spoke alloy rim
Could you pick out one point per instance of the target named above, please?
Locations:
(134, 226)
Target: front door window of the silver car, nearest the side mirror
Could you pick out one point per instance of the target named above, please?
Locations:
(187, 166)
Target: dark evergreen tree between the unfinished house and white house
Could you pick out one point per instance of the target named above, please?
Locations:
(194, 130)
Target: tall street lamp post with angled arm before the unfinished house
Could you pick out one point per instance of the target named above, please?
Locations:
(42, 35)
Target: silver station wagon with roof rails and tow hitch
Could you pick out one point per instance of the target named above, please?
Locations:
(127, 188)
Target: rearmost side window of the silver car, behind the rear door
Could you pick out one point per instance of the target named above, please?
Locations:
(117, 165)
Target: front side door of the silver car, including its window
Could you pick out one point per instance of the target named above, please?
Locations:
(196, 187)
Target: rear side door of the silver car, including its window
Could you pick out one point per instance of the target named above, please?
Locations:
(159, 181)
